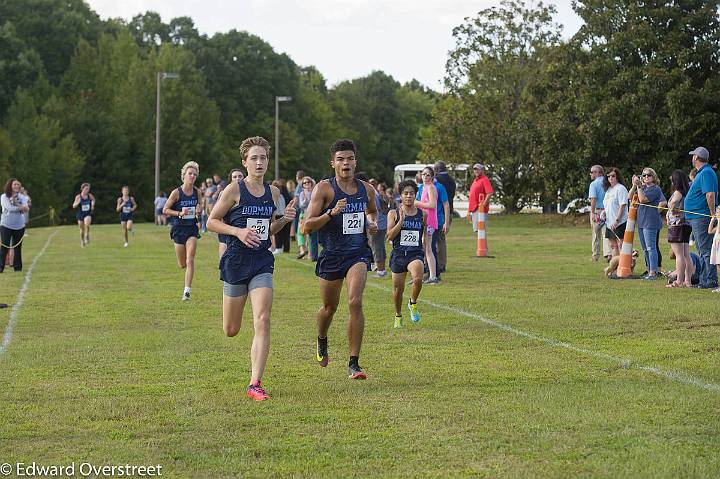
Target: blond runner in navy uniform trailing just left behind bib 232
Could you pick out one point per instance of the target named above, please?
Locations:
(183, 207)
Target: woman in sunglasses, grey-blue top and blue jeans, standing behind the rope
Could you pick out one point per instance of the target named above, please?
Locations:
(648, 220)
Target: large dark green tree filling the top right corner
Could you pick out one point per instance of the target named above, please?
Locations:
(649, 81)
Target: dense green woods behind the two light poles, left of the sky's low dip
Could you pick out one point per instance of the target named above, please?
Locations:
(77, 104)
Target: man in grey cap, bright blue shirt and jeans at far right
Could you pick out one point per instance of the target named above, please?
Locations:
(702, 200)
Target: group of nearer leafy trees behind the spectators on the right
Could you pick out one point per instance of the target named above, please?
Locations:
(638, 85)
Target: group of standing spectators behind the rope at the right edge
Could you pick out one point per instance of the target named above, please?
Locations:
(690, 212)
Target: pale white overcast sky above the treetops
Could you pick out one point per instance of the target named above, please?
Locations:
(344, 39)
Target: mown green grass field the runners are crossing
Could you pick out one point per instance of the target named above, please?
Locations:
(108, 366)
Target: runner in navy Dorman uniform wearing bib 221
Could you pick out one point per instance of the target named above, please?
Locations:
(343, 210)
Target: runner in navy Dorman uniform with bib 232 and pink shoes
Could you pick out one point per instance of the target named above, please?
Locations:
(245, 213)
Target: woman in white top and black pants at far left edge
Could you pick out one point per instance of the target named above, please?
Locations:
(12, 222)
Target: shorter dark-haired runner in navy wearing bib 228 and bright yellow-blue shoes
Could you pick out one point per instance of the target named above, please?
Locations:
(406, 227)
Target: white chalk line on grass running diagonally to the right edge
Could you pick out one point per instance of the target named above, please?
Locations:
(625, 363)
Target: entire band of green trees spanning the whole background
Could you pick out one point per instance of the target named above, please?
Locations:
(638, 85)
